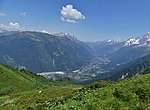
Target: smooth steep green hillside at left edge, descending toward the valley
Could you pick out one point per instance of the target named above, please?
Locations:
(14, 80)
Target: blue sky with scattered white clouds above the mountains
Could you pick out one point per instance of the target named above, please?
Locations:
(89, 20)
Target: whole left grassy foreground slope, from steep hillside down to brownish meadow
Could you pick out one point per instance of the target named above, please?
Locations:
(22, 90)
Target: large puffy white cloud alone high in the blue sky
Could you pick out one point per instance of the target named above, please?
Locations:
(69, 14)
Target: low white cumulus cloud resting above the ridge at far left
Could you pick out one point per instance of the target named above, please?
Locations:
(11, 27)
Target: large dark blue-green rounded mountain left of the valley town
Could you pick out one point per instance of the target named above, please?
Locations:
(40, 52)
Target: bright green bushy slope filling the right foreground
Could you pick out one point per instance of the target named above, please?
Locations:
(131, 93)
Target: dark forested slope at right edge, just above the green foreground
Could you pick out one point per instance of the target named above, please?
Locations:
(139, 66)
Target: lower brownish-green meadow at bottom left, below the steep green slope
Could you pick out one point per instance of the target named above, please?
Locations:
(34, 99)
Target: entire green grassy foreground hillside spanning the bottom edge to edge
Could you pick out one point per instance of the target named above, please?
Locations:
(131, 93)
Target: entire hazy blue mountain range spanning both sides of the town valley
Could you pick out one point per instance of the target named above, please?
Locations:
(61, 52)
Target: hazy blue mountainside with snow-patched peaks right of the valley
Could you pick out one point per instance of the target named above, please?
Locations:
(122, 51)
